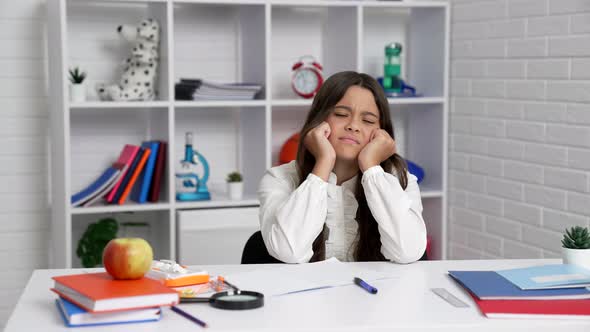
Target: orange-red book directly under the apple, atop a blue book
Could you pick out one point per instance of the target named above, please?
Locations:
(99, 292)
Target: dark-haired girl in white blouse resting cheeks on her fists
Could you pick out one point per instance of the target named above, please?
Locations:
(348, 195)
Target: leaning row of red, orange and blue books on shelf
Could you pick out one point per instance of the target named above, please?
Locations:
(137, 173)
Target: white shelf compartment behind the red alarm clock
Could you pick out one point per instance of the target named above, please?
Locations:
(319, 33)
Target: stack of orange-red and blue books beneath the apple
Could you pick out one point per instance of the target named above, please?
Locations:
(98, 299)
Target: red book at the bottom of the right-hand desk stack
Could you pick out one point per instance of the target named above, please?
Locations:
(576, 309)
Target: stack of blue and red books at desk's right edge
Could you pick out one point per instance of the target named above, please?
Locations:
(547, 291)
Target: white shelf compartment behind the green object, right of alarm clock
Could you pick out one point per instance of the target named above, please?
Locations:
(420, 30)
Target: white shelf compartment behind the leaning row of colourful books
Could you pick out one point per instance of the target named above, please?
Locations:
(98, 137)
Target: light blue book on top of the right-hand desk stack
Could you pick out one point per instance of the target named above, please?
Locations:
(548, 276)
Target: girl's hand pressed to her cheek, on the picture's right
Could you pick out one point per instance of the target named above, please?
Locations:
(380, 147)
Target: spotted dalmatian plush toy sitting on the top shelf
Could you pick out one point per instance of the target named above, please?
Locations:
(138, 82)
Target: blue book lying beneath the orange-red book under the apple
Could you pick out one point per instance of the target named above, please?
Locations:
(73, 315)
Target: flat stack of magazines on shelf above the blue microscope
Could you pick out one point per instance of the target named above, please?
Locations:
(198, 89)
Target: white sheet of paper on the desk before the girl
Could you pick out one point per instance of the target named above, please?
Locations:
(301, 277)
